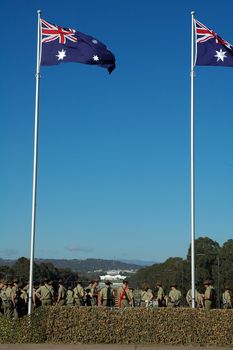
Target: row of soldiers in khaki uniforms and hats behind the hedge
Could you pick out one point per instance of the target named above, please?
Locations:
(14, 297)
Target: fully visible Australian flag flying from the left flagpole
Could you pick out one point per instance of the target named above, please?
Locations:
(60, 45)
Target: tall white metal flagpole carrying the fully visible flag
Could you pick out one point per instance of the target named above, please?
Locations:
(35, 165)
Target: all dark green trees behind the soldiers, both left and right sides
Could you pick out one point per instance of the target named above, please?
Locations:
(213, 262)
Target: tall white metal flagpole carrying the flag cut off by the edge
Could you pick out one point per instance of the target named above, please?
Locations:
(192, 167)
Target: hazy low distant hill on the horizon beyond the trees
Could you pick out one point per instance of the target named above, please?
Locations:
(83, 266)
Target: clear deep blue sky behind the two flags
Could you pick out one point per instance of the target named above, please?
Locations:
(114, 165)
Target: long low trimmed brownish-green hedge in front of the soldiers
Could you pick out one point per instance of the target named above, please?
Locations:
(129, 326)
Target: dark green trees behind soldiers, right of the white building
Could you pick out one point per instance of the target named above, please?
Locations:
(212, 261)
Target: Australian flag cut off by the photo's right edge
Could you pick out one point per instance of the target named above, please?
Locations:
(212, 50)
